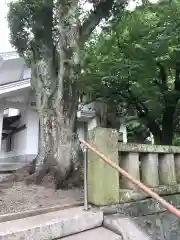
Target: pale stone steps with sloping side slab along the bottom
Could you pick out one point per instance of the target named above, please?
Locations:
(76, 224)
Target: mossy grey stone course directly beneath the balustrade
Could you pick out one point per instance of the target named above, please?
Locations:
(140, 208)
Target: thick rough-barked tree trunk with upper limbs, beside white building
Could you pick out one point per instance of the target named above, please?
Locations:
(55, 79)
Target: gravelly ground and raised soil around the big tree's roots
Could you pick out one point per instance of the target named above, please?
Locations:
(17, 196)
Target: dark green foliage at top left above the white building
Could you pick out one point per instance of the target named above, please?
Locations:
(32, 26)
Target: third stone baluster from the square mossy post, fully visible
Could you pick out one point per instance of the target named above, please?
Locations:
(167, 175)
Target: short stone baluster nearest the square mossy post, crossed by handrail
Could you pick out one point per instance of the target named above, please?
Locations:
(130, 163)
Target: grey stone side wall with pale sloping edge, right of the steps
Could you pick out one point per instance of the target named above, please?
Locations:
(163, 226)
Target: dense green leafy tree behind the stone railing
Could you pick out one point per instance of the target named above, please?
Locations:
(136, 60)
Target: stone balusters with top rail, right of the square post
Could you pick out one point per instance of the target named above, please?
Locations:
(153, 165)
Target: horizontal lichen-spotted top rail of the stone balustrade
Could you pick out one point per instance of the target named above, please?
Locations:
(147, 148)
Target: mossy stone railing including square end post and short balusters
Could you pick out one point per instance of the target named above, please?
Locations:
(158, 167)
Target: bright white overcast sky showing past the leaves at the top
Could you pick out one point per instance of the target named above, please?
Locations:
(4, 39)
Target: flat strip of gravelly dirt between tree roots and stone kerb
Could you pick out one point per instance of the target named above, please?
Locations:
(21, 197)
